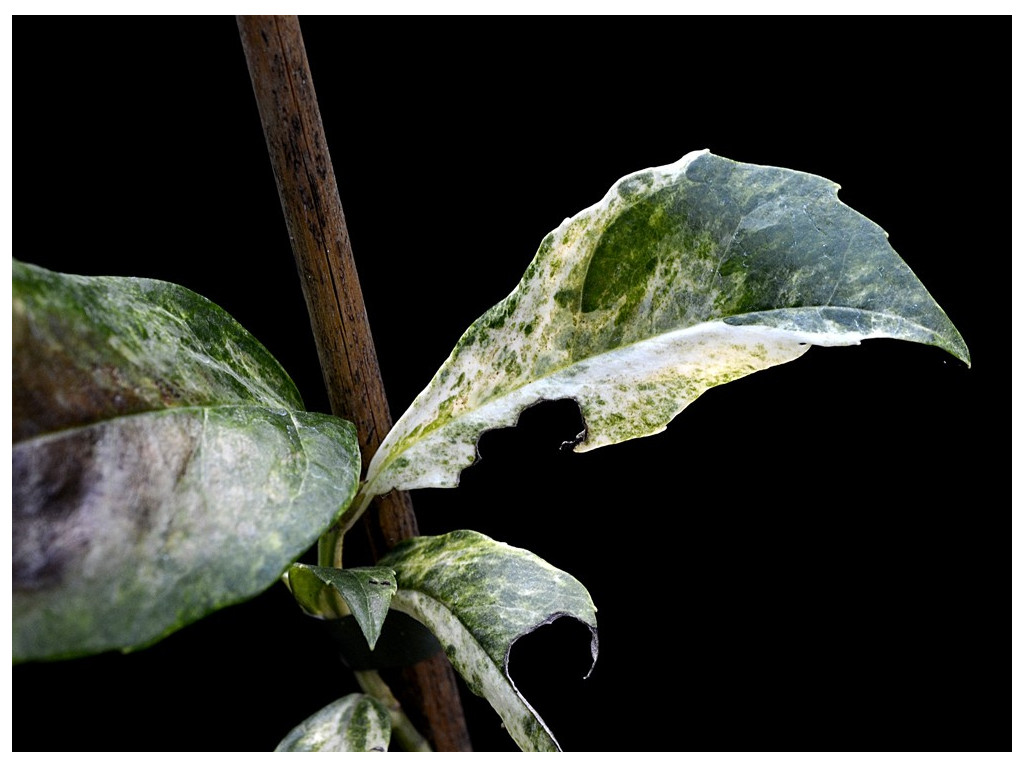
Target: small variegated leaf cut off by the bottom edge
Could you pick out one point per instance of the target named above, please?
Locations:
(355, 723)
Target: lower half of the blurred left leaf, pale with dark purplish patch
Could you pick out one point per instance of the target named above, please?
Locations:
(132, 529)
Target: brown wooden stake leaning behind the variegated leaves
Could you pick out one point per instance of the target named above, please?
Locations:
(288, 108)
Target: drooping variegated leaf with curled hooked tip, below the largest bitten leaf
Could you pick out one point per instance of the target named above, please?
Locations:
(479, 596)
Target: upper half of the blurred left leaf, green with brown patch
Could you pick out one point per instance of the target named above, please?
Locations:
(92, 349)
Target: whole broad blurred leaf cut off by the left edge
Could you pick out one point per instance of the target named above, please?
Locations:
(163, 466)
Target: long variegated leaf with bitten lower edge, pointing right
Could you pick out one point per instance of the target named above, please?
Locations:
(682, 278)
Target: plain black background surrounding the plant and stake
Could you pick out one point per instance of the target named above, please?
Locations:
(816, 558)
